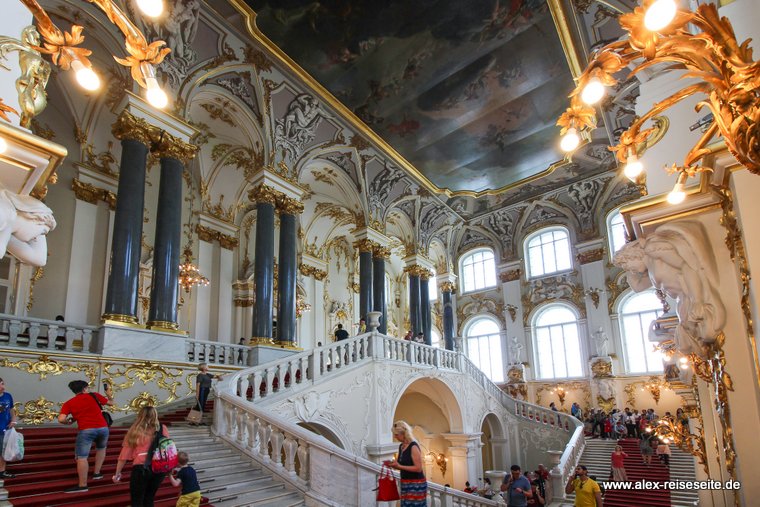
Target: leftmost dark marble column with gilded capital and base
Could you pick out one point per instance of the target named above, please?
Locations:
(123, 278)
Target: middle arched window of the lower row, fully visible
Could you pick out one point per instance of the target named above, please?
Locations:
(557, 342)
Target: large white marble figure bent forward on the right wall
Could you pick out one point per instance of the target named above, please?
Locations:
(677, 260)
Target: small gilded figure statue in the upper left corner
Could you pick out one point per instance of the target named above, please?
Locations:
(35, 73)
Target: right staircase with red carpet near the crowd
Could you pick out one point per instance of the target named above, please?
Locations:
(596, 456)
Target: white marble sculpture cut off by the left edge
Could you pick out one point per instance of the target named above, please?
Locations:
(24, 222)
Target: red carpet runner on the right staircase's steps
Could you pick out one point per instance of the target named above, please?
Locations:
(636, 470)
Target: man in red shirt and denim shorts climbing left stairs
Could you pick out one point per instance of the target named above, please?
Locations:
(85, 409)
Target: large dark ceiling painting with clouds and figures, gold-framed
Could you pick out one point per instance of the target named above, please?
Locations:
(467, 91)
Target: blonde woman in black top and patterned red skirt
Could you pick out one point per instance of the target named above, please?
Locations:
(413, 482)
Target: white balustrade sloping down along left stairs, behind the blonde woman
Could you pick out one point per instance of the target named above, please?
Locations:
(252, 429)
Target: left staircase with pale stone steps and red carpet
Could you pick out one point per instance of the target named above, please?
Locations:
(227, 479)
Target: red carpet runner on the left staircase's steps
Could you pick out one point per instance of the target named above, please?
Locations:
(48, 468)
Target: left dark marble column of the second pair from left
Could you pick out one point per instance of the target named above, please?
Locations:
(263, 267)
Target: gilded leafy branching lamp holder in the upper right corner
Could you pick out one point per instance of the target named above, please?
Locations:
(727, 77)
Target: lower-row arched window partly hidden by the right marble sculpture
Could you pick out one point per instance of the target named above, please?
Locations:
(637, 312)
